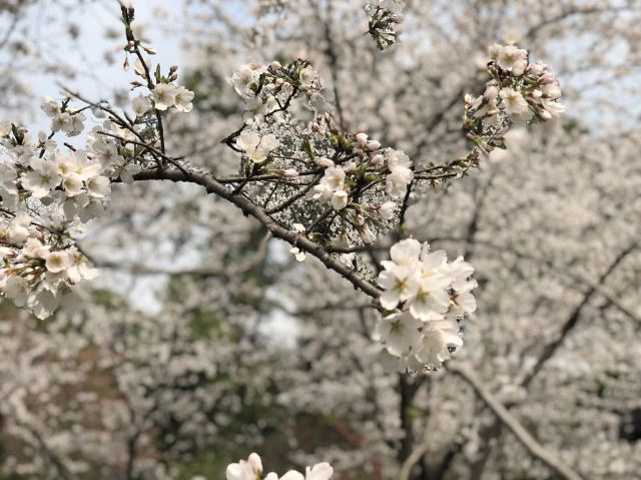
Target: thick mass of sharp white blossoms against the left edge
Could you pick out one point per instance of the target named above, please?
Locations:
(46, 196)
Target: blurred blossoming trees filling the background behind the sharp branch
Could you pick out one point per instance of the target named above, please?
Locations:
(204, 339)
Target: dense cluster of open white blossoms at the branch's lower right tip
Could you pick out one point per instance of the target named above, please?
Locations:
(427, 295)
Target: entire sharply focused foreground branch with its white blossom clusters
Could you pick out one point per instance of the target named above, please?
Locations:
(301, 174)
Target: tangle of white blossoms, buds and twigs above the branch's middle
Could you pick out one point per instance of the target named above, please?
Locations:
(359, 180)
